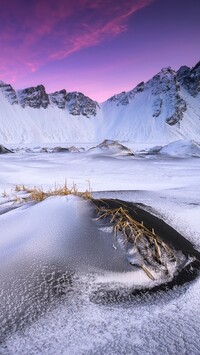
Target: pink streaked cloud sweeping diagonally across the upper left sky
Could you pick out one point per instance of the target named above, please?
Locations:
(36, 32)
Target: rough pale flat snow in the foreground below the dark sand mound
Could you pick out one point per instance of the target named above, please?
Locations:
(116, 329)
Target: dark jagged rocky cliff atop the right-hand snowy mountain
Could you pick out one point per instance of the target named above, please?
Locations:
(165, 88)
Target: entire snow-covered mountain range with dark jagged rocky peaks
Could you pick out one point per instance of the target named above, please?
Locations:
(162, 110)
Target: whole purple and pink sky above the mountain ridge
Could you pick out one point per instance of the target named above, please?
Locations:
(98, 47)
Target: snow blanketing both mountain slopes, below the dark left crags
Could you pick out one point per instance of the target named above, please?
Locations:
(142, 119)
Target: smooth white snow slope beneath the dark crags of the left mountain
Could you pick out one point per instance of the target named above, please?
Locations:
(30, 125)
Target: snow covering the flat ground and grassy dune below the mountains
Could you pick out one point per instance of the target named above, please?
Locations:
(96, 313)
